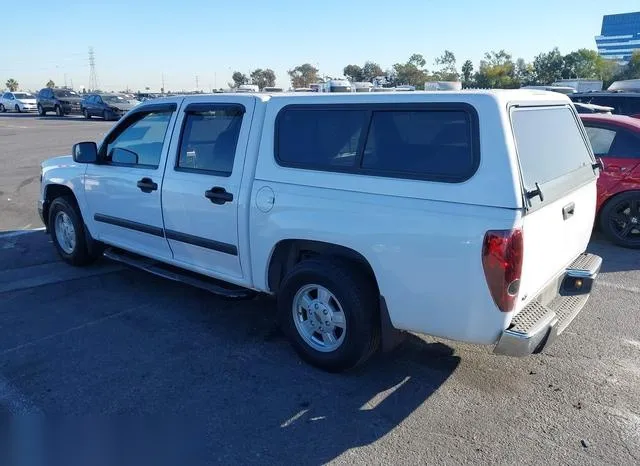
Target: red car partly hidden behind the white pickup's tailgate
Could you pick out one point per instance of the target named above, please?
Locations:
(616, 139)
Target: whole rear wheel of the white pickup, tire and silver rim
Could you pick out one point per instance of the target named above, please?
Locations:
(329, 311)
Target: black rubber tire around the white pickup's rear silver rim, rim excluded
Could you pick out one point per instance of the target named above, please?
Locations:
(357, 296)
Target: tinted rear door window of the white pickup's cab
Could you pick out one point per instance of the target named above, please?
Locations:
(209, 140)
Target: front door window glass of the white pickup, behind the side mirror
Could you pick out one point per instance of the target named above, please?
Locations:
(143, 135)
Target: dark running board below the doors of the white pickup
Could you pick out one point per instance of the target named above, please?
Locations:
(176, 274)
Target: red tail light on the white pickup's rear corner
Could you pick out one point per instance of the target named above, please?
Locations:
(502, 252)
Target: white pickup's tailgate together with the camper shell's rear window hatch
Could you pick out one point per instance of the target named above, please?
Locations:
(559, 182)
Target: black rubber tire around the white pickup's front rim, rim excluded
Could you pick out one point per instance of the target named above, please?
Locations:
(80, 255)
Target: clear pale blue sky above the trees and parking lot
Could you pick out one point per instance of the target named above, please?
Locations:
(137, 43)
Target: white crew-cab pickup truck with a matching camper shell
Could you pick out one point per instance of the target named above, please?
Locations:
(462, 215)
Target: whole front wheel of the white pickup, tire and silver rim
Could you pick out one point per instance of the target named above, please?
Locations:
(67, 232)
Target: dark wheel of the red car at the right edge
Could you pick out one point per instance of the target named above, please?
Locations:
(620, 219)
